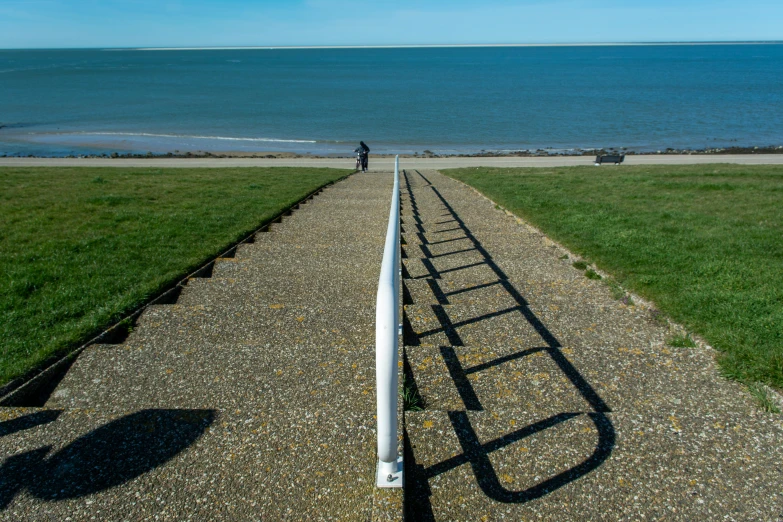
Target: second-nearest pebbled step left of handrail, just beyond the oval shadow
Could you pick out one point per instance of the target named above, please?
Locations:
(198, 374)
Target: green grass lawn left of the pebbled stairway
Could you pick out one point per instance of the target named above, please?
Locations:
(80, 247)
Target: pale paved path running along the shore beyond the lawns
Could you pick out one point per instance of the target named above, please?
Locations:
(386, 164)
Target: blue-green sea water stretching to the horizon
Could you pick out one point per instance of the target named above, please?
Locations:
(447, 100)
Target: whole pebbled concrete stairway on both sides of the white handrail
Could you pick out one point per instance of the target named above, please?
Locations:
(252, 397)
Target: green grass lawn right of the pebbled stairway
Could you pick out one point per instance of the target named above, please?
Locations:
(705, 243)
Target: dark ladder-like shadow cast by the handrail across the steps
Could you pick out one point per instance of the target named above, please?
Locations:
(473, 452)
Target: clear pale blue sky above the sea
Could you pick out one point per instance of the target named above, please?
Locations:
(203, 23)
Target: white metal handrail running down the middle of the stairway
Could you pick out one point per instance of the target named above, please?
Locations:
(387, 320)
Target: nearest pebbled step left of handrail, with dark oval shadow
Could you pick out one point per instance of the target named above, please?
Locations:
(188, 464)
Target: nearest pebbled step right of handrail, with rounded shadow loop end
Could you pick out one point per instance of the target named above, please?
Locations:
(581, 465)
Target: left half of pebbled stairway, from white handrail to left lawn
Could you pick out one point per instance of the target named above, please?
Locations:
(250, 398)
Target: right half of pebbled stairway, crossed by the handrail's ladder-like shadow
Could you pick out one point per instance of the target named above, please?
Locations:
(547, 399)
